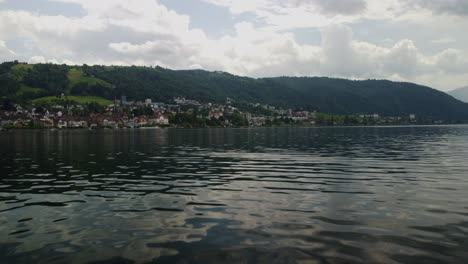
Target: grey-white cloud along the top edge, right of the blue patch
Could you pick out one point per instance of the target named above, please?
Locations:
(289, 14)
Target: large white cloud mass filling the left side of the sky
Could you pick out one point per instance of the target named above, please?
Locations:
(93, 38)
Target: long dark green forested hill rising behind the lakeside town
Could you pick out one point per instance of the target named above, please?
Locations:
(25, 82)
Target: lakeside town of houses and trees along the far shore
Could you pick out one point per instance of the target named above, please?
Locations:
(62, 113)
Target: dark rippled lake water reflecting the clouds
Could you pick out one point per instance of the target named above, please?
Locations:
(279, 195)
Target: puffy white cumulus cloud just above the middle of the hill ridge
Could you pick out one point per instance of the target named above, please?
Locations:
(257, 52)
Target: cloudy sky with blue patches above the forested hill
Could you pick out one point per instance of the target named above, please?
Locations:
(421, 41)
